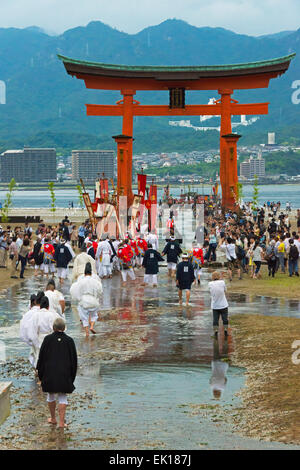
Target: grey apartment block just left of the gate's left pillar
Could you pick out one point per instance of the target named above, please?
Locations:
(87, 164)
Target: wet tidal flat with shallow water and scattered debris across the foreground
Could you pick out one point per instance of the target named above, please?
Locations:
(144, 381)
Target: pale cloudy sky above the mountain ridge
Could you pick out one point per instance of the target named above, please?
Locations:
(252, 17)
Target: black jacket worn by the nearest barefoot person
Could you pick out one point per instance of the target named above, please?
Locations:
(57, 363)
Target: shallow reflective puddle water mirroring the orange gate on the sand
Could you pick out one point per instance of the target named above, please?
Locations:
(170, 364)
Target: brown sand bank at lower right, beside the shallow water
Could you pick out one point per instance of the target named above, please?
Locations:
(271, 399)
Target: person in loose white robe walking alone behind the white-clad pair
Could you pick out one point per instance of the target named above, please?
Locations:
(87, 291)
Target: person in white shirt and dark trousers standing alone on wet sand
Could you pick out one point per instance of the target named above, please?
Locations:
(219, 304)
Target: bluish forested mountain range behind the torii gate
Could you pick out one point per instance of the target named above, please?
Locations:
(45, 107)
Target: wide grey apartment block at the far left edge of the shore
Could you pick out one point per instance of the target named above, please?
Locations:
(28, 165)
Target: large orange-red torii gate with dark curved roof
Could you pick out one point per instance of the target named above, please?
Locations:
(223, 78)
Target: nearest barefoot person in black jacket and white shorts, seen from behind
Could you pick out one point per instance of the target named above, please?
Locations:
(57, 367)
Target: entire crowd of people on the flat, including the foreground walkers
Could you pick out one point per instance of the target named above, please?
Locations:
(244, 238)
